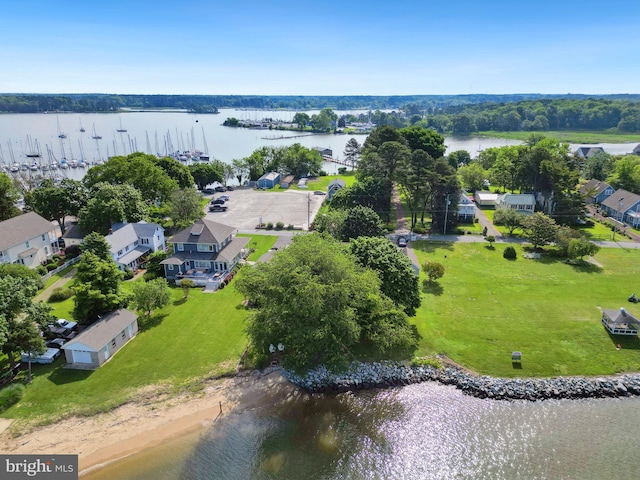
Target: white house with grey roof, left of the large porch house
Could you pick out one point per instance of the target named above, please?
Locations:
(132, 240)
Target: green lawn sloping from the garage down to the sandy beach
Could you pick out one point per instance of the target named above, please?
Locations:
(178, 345)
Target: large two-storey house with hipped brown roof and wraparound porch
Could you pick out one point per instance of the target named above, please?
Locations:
(205, 253)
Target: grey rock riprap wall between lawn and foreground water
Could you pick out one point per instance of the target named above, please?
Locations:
(363, 376)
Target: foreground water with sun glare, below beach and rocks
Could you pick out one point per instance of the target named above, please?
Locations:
(425, 431)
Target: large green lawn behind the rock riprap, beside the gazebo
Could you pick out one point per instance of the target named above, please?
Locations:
(487, 307)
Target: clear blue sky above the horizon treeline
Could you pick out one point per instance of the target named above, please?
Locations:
(320, 47)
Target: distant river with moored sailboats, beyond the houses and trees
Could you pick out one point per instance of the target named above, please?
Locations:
(163, 132)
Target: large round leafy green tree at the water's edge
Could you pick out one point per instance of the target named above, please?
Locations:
(314, 299)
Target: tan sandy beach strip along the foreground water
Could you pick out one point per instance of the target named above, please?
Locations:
(133, 427)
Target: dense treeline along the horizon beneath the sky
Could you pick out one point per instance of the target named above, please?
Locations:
(448, 114)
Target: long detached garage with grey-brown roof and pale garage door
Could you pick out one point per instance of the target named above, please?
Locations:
(94, 346)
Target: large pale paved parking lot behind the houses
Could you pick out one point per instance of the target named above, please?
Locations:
(246, 207)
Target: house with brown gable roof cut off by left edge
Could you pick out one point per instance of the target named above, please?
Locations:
(28, 239)
